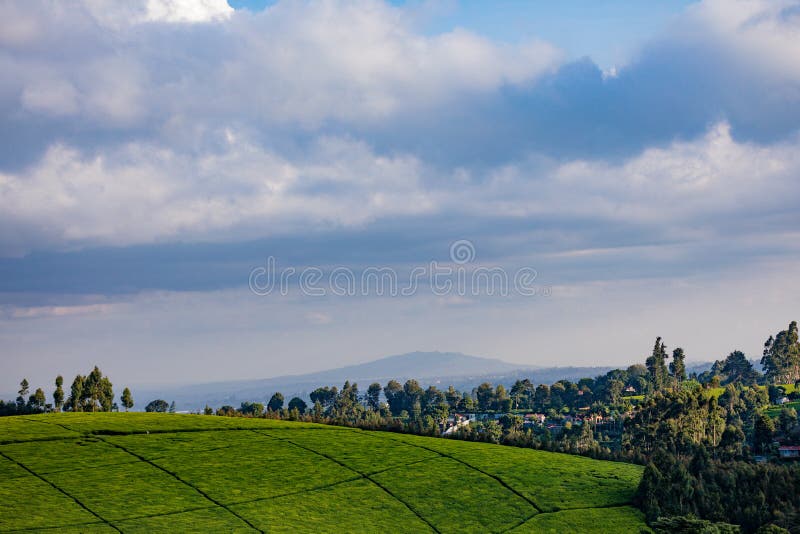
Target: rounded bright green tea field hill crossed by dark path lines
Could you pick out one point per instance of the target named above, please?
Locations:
(163, 472)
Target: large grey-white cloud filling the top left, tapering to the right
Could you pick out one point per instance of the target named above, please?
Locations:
(312, 61)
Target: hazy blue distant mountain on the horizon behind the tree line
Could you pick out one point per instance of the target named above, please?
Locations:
(442, 369)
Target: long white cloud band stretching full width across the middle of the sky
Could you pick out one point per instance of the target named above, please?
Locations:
(143, 193)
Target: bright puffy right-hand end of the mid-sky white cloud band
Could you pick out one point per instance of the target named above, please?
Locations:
(695, 179)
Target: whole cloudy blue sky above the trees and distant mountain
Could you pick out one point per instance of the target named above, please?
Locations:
(630, 168)
